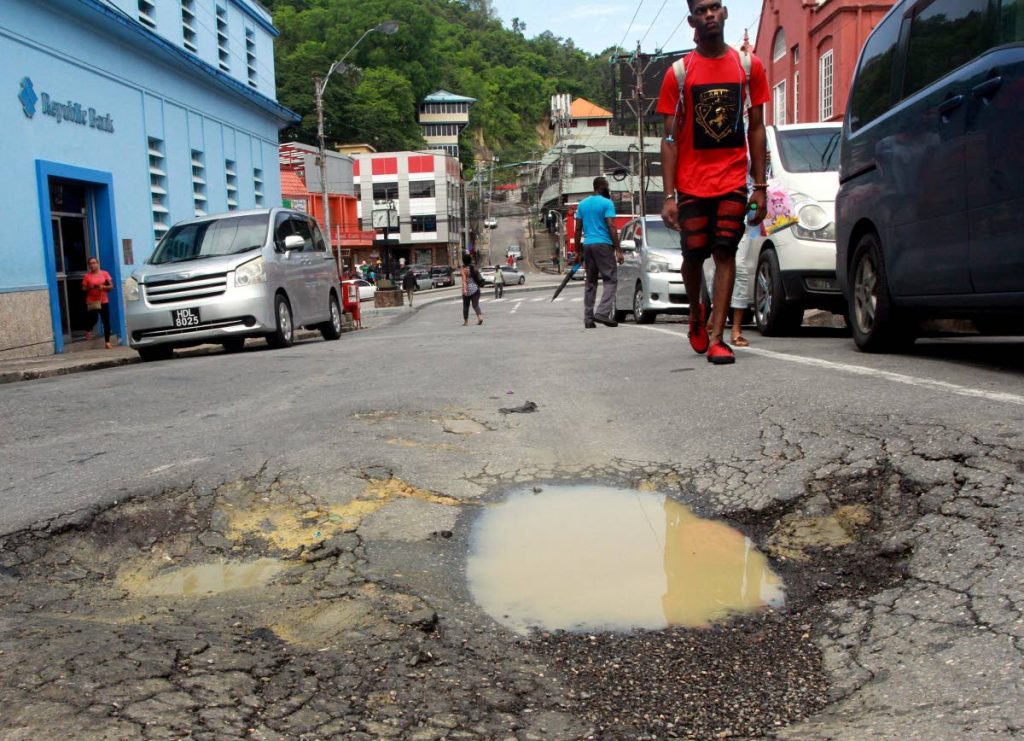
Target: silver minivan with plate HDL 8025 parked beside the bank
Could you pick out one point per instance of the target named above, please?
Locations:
(224, 278)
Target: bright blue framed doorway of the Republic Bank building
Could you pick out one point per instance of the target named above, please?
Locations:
(76, 208)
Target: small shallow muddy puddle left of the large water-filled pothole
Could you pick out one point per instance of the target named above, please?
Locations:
(208, 580)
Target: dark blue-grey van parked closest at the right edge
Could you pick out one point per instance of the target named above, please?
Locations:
(930, 211)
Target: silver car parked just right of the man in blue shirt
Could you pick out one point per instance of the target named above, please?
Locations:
(650, 279)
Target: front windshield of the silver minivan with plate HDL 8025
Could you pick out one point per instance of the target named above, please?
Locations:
(211, 239)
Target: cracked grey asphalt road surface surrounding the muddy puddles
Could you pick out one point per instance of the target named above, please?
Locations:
(892, 510)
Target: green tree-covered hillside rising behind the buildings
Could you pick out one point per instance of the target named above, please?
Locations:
(459, 46)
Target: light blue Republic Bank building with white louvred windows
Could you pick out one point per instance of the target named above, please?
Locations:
(118, 119)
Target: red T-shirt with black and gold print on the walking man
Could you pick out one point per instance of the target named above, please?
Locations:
(711, 145)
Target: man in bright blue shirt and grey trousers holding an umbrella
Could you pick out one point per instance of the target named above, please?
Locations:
(598, 247)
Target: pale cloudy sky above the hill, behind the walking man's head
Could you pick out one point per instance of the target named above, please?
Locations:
(596, 25)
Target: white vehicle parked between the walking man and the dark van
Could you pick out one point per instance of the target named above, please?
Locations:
(795, 268)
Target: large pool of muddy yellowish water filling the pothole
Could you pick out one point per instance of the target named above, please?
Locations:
(586, 558)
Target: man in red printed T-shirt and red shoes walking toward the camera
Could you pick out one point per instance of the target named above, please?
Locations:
(705, 165)
